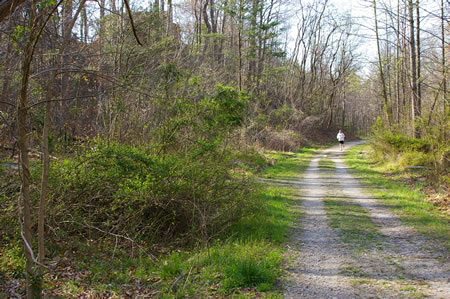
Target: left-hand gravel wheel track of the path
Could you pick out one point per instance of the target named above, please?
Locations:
(317, 258)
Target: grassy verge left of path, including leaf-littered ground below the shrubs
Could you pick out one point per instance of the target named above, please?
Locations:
(245, 262)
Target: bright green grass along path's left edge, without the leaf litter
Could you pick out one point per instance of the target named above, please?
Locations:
(246, 263)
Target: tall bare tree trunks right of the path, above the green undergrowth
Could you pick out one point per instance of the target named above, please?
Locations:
(412, 39)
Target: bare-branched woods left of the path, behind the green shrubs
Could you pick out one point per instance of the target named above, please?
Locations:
(115, 69)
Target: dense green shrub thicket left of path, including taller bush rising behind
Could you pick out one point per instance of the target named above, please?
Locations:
(180, 187)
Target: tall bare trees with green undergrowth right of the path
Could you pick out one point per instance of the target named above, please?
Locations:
(413, 49)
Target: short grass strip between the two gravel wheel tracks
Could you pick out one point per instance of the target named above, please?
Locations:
(356, 229)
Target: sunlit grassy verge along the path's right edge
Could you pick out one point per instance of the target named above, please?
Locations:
(404, 200)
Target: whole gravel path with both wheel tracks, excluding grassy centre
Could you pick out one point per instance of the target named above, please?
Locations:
(323, 266)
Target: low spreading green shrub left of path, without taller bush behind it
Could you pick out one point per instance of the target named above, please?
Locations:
(129, 191)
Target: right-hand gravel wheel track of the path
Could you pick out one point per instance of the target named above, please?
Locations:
(407, 257)
